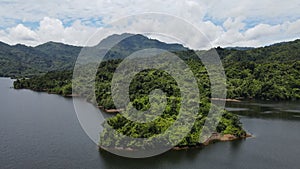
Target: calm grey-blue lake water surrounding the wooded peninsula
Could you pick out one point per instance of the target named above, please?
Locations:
(38, 130)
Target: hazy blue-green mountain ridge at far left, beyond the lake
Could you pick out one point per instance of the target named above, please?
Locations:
(24, 61)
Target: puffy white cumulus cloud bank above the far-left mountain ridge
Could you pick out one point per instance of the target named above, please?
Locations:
(49, 30)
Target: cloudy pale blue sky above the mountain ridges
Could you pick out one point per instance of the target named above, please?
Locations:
(224, 22)
